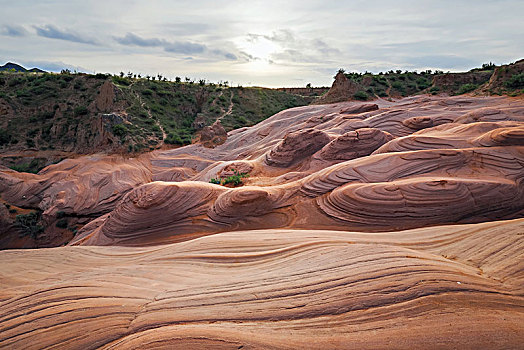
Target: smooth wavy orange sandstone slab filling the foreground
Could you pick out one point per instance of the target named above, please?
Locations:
(458, 286)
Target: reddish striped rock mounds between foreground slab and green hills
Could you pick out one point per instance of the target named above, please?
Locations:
(355, 166)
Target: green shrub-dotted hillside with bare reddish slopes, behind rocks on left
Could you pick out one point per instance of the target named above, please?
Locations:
(84, 113)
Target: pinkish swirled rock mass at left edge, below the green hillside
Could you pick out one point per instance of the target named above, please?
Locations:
(86, 186)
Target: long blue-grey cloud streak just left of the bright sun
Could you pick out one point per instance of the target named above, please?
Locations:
(176, 47)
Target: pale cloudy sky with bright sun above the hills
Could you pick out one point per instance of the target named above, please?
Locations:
(260, 43)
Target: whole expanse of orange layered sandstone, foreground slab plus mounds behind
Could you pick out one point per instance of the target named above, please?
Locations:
(390, 224)
